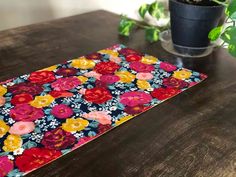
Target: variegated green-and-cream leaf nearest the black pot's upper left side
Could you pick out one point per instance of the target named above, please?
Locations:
(156, 10)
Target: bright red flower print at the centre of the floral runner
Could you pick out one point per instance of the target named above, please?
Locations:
(97, 95)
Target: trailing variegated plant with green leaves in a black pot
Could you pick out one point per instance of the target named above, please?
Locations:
(193, 23)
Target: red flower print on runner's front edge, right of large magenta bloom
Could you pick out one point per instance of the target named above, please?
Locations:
(164, 93)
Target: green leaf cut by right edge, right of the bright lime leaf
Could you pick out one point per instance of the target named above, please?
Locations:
(229, 35)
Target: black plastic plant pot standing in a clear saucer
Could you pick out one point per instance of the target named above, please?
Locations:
(190, 24)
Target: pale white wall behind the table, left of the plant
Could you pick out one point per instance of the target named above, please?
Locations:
(14, 13)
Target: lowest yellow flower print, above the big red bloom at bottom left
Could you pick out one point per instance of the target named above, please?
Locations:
(12, 143)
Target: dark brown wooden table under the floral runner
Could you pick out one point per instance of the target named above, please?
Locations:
(192, 134)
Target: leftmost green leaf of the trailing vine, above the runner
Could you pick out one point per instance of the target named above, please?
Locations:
(125, 26)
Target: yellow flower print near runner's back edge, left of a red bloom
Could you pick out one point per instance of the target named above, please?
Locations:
(83, 63)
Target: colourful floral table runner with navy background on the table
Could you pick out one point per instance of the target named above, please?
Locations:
(50, 112)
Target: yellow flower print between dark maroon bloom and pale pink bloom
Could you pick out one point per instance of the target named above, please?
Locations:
(73, 125)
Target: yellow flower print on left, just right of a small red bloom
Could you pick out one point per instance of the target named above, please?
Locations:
(42, 101)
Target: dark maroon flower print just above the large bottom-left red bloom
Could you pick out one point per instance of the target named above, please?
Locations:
(58, 139)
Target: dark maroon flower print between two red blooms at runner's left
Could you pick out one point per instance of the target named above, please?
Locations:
(25, 87)
